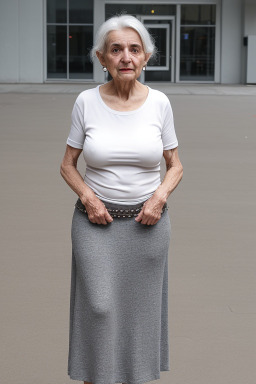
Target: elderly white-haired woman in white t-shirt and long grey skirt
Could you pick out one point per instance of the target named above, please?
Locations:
(120, 228)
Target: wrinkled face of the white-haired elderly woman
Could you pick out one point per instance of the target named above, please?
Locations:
(124, 55)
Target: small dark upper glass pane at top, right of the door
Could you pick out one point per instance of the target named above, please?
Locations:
(198, 14)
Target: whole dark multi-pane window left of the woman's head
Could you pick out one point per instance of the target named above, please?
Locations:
(69, 39)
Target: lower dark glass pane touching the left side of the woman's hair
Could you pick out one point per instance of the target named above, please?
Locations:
(80, 43)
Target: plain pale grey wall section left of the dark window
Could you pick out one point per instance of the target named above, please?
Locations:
(21, 41)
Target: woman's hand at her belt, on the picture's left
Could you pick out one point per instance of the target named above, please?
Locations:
(96, 210)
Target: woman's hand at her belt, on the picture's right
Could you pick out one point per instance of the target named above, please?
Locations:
(151, 211)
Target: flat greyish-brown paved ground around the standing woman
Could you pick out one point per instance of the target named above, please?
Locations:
(212, 285)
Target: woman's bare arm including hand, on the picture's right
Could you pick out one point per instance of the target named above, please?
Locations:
(152, 209)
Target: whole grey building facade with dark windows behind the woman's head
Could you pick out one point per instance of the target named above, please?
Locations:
(212, 41)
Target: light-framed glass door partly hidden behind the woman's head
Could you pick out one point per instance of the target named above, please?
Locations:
(161, 67)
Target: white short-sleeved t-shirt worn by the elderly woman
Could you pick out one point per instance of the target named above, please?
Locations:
(122, 150)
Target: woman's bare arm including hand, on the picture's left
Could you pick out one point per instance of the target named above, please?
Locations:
(96, 210)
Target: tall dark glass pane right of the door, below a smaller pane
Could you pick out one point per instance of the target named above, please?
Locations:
(197, 47)
